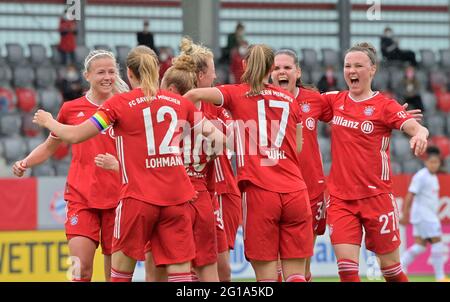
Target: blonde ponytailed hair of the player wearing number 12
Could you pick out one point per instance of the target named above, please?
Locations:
(144, 64)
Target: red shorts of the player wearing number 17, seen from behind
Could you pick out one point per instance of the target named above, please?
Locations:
(276, 224)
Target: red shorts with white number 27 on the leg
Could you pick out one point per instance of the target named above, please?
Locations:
(378, 215)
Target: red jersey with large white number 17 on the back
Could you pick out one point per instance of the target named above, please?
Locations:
(265, 131)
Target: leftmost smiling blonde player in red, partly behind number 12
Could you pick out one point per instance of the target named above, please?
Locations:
(91, 193)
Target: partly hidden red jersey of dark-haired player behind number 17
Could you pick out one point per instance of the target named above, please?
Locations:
(313, 109)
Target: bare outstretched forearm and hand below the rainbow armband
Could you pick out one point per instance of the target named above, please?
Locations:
(71, 134)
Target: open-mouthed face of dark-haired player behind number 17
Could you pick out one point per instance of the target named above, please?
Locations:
(285, 72)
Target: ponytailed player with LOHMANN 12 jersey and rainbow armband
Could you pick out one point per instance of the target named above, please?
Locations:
(148, 124)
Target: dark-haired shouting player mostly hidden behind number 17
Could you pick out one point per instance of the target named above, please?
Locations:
(286, 74)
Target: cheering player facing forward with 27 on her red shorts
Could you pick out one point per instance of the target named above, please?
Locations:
(360, 176)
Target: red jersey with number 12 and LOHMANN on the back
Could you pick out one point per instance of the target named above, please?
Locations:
(148, 134)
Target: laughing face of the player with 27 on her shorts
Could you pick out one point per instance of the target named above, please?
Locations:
(358, 73)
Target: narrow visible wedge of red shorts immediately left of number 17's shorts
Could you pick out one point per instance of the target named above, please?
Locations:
(231, 206)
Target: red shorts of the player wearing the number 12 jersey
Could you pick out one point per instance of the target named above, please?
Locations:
(169, 230)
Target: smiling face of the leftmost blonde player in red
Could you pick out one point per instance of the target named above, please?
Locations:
(101, 75)
